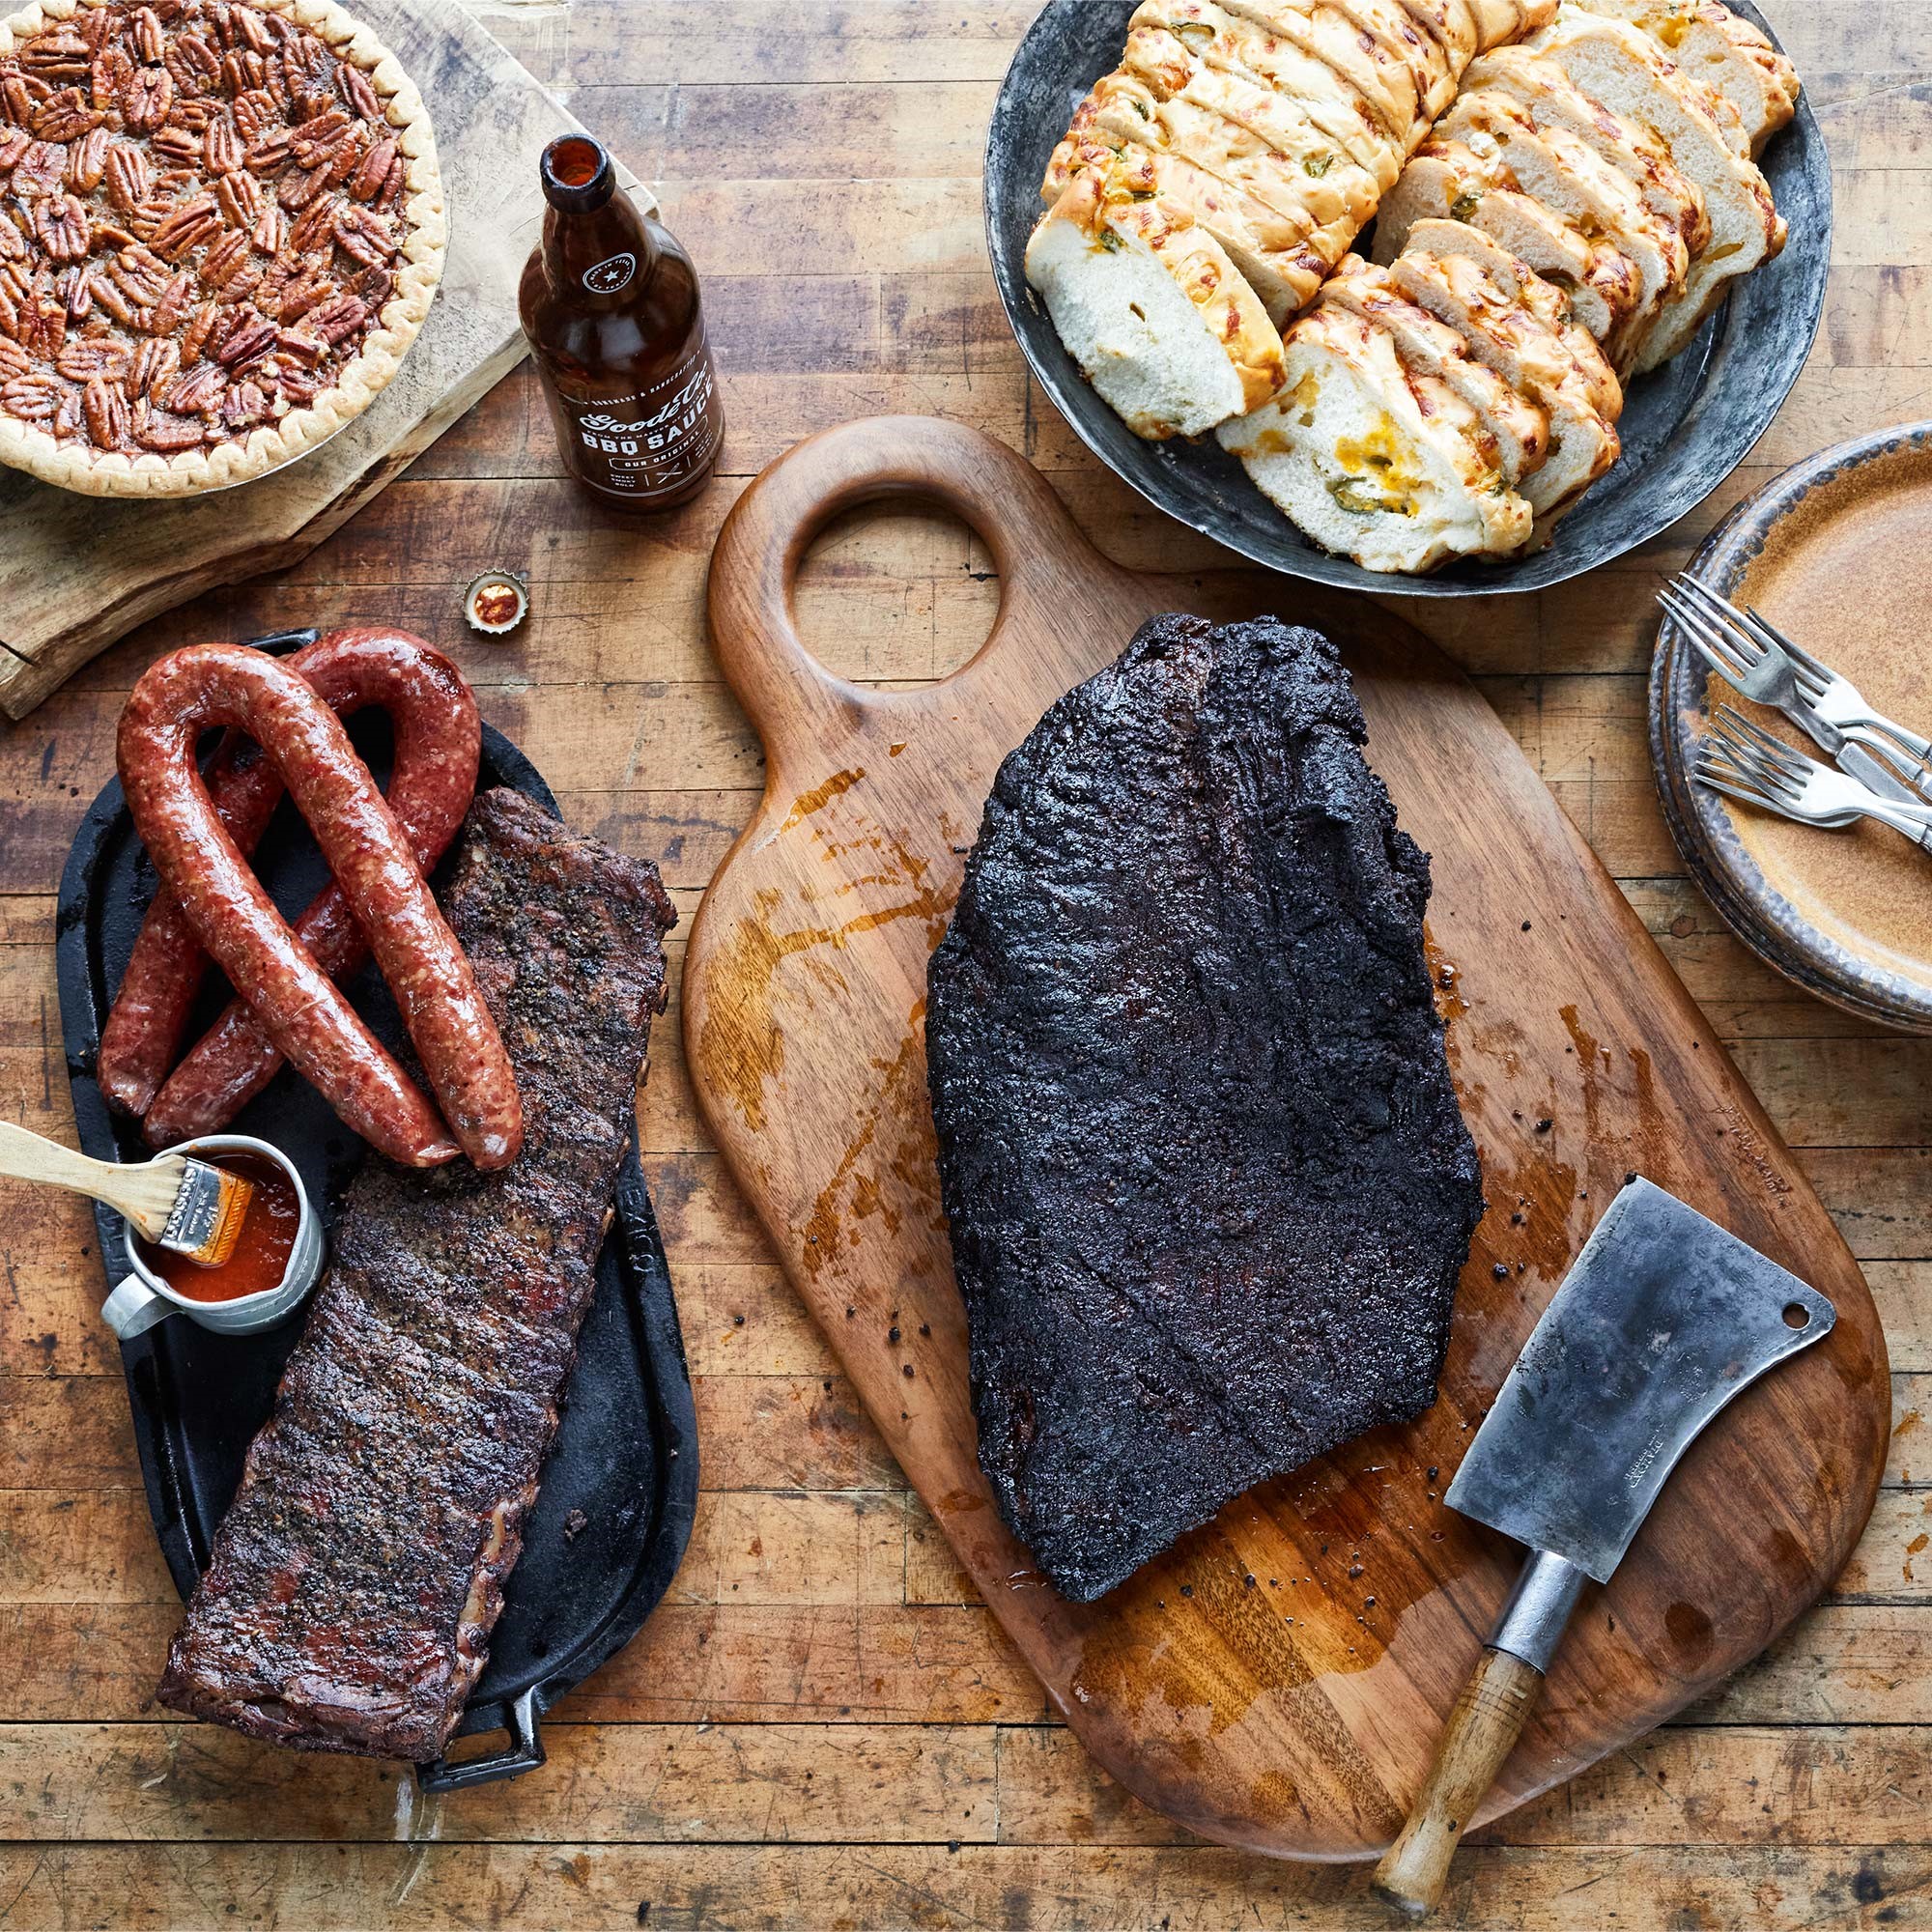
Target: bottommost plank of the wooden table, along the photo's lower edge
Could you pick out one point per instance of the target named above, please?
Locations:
(588, 1889)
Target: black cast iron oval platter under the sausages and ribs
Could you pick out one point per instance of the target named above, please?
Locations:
(627, 1450)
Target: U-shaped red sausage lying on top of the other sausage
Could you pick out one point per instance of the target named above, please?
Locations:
(308, 1019)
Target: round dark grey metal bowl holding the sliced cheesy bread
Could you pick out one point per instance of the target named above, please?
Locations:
(1686, 428)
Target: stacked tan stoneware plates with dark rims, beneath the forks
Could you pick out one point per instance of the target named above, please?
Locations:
(1838, 497)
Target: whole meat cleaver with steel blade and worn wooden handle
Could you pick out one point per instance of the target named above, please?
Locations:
(1659, 1324)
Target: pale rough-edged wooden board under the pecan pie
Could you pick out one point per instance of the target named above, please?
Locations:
(76, 573)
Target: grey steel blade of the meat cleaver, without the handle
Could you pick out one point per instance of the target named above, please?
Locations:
(1659, 1324)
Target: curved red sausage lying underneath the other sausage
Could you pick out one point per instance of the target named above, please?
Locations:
(430, 791)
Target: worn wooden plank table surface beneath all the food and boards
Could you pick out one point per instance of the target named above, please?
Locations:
(820, 1726)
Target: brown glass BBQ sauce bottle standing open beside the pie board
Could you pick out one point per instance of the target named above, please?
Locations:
(611, 310)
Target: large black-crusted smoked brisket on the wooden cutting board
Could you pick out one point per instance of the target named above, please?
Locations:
(1203, 1164)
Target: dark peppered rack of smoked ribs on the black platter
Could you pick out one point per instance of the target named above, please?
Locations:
(360, 1568)
